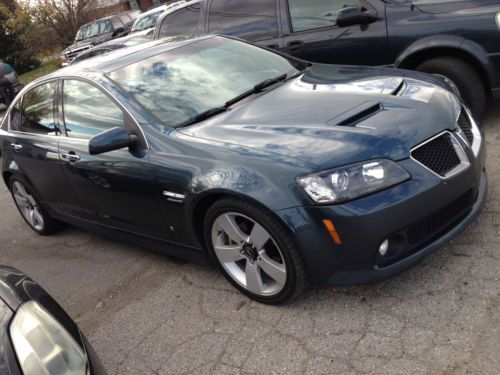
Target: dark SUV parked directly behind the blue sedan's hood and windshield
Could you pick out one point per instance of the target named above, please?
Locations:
(457, 40)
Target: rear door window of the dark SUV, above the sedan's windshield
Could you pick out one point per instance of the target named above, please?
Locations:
(253, 20)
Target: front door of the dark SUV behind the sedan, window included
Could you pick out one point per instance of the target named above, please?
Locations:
(311, 33)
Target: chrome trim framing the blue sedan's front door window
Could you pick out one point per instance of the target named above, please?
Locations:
(129, 122)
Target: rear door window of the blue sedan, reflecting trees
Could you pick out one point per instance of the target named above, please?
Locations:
(36, 111)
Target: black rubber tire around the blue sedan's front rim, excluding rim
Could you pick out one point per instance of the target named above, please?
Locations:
(233, 205)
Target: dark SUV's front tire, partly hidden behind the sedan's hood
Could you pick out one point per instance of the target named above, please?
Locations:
(465, 78)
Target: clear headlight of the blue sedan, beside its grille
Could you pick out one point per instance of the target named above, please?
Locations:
(352, 181)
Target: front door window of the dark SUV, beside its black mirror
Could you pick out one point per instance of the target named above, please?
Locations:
(310, 15)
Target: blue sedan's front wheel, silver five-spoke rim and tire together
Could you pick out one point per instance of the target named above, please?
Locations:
(254, 251)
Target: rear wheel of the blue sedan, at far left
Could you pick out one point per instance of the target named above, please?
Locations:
(30, 209)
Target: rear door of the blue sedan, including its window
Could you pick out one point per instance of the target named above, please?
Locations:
(33, 141)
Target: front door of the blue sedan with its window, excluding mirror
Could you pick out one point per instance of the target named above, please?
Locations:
(115, 188)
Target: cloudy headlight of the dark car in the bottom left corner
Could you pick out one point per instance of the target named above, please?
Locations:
(43, 346)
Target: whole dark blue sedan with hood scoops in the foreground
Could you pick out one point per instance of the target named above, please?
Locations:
(277, 169)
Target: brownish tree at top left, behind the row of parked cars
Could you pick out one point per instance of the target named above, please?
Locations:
(64, 16)
